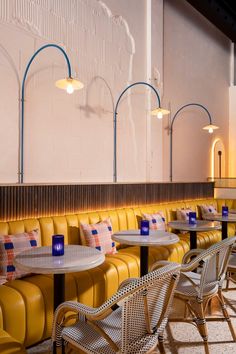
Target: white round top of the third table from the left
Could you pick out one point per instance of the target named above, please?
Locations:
(202, 225)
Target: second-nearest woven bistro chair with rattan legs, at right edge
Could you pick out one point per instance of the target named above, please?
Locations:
(200, 281)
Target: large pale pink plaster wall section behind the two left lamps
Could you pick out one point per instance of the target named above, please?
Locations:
(69, 138)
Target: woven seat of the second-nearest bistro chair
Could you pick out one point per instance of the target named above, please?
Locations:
(185, 285)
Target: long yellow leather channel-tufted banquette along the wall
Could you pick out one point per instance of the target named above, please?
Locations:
(26, 305)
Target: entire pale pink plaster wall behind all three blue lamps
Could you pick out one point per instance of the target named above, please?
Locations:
(111, 44)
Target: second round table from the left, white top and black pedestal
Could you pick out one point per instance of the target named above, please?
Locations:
(155, 238)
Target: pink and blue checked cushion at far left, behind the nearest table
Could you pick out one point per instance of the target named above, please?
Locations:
(10, 246)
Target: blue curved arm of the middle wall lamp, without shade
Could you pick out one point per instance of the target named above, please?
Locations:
(115, 121)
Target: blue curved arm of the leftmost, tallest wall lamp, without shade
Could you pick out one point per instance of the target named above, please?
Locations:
(21, 171)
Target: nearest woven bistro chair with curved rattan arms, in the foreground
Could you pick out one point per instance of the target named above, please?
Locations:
(132, 321)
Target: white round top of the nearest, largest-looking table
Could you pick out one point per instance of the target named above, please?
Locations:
(76, 258)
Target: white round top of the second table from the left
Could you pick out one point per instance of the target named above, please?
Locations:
(155, 238)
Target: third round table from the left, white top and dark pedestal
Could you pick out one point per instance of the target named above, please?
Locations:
(201, 225)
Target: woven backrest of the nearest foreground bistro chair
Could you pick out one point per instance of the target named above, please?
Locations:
(145, 310)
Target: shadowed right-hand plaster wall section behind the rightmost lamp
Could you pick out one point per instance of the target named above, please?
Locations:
(196, 69)
